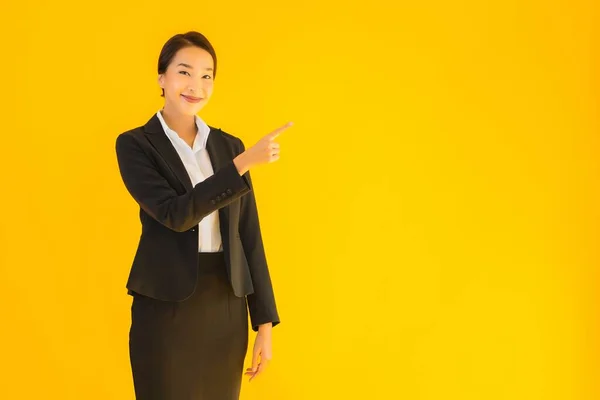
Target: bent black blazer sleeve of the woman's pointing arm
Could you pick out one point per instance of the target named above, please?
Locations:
(157, 197)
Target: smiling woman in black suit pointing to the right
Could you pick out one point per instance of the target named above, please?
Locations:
(200, 263)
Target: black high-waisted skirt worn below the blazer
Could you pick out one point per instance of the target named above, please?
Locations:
(194, 349)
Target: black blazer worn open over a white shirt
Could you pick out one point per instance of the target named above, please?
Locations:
(166, 261)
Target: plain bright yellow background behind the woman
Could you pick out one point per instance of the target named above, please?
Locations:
(431, 228)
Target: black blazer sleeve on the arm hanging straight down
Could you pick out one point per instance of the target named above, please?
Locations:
(261, 303)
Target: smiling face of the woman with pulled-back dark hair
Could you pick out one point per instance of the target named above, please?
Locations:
(188, 81)
